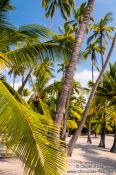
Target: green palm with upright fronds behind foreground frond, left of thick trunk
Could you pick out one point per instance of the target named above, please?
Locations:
(42, 73)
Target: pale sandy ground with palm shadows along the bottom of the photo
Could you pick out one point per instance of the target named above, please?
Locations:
(86, 159)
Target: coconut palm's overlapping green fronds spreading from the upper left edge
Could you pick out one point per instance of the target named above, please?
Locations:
(33, 34)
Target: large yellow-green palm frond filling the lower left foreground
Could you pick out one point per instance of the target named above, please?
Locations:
(29, 137)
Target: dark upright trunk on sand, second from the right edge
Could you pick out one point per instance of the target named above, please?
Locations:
(103, 132)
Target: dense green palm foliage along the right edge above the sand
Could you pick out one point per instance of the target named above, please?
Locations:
(105, 101)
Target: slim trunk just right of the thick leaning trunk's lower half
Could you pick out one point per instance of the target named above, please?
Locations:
(63, 136)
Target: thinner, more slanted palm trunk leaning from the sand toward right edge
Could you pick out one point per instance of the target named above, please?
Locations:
(78, 131)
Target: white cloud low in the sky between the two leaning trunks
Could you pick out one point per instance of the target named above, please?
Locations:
(84, 76)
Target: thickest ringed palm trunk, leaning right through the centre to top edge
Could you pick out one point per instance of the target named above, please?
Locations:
(72, 65)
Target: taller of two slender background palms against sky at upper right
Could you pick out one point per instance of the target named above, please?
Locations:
(102, 31)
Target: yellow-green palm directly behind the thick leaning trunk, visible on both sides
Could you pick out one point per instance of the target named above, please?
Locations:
(75, 106)
